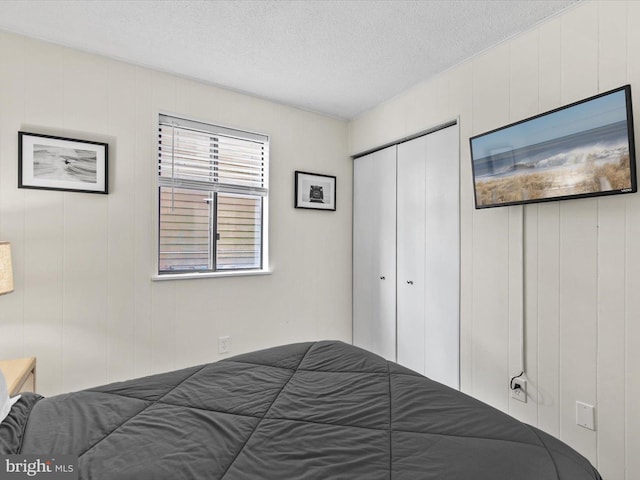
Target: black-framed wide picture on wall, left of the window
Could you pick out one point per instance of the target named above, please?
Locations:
(56, 163)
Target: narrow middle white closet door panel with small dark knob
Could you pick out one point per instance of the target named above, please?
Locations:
(411, 254)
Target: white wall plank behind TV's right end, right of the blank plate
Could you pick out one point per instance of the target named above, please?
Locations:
(612, 264)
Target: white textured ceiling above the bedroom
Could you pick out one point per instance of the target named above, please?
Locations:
(337, 57)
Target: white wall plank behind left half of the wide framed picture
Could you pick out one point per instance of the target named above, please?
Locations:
(44, 218)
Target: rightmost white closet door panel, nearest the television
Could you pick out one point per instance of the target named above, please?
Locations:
(442, 261)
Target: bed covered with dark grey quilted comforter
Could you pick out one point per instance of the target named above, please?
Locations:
(320, 410)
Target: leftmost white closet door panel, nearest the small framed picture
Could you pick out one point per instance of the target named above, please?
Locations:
(374, 251)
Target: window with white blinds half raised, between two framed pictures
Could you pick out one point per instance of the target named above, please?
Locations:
(213, 194)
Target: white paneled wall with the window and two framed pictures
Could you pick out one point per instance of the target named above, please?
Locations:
(84, 302)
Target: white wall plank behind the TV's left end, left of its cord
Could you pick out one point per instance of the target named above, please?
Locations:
(491, 243)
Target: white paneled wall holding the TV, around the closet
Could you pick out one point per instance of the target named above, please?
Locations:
(581, 265)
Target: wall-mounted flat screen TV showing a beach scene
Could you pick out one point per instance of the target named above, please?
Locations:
(581, 150)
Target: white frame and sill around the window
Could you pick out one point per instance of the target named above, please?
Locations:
(184, 275)
